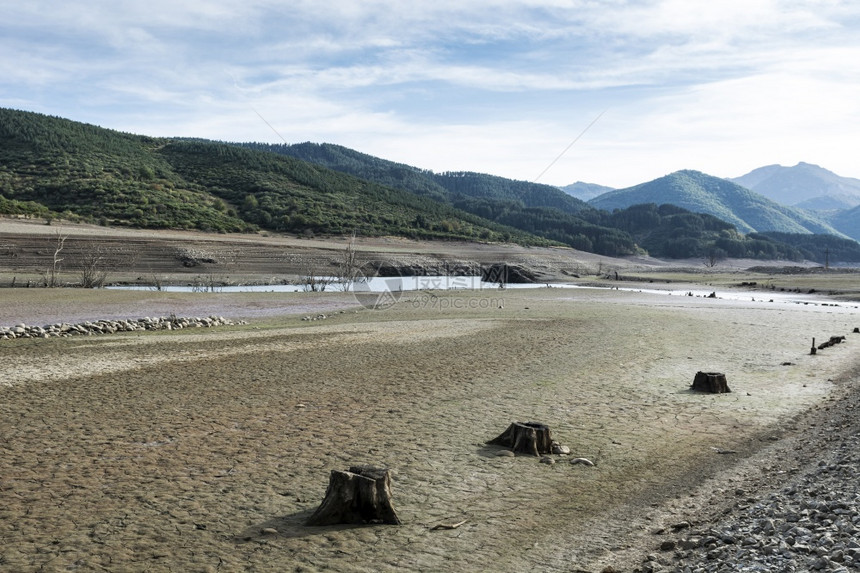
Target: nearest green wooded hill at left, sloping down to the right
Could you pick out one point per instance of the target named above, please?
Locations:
(52, 167)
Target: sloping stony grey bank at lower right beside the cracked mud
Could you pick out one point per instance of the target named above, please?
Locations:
(807, 520)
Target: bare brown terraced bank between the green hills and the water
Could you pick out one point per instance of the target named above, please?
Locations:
(29, 249)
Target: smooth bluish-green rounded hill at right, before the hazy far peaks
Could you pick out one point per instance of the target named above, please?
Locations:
(701, 193)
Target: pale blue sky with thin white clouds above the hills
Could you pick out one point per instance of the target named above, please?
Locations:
(613, 92)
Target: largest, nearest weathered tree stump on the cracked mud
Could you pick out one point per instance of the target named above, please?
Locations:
(360, 495)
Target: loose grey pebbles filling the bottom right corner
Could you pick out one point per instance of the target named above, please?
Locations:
(810, 524)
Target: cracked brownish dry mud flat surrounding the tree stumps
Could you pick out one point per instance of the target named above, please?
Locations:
(207, 450)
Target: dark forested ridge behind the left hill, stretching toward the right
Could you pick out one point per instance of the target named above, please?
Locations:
(667, 231)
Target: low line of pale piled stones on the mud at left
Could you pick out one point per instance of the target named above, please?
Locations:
(91, 328)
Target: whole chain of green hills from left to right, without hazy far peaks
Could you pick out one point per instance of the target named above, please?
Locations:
(52, 167)
